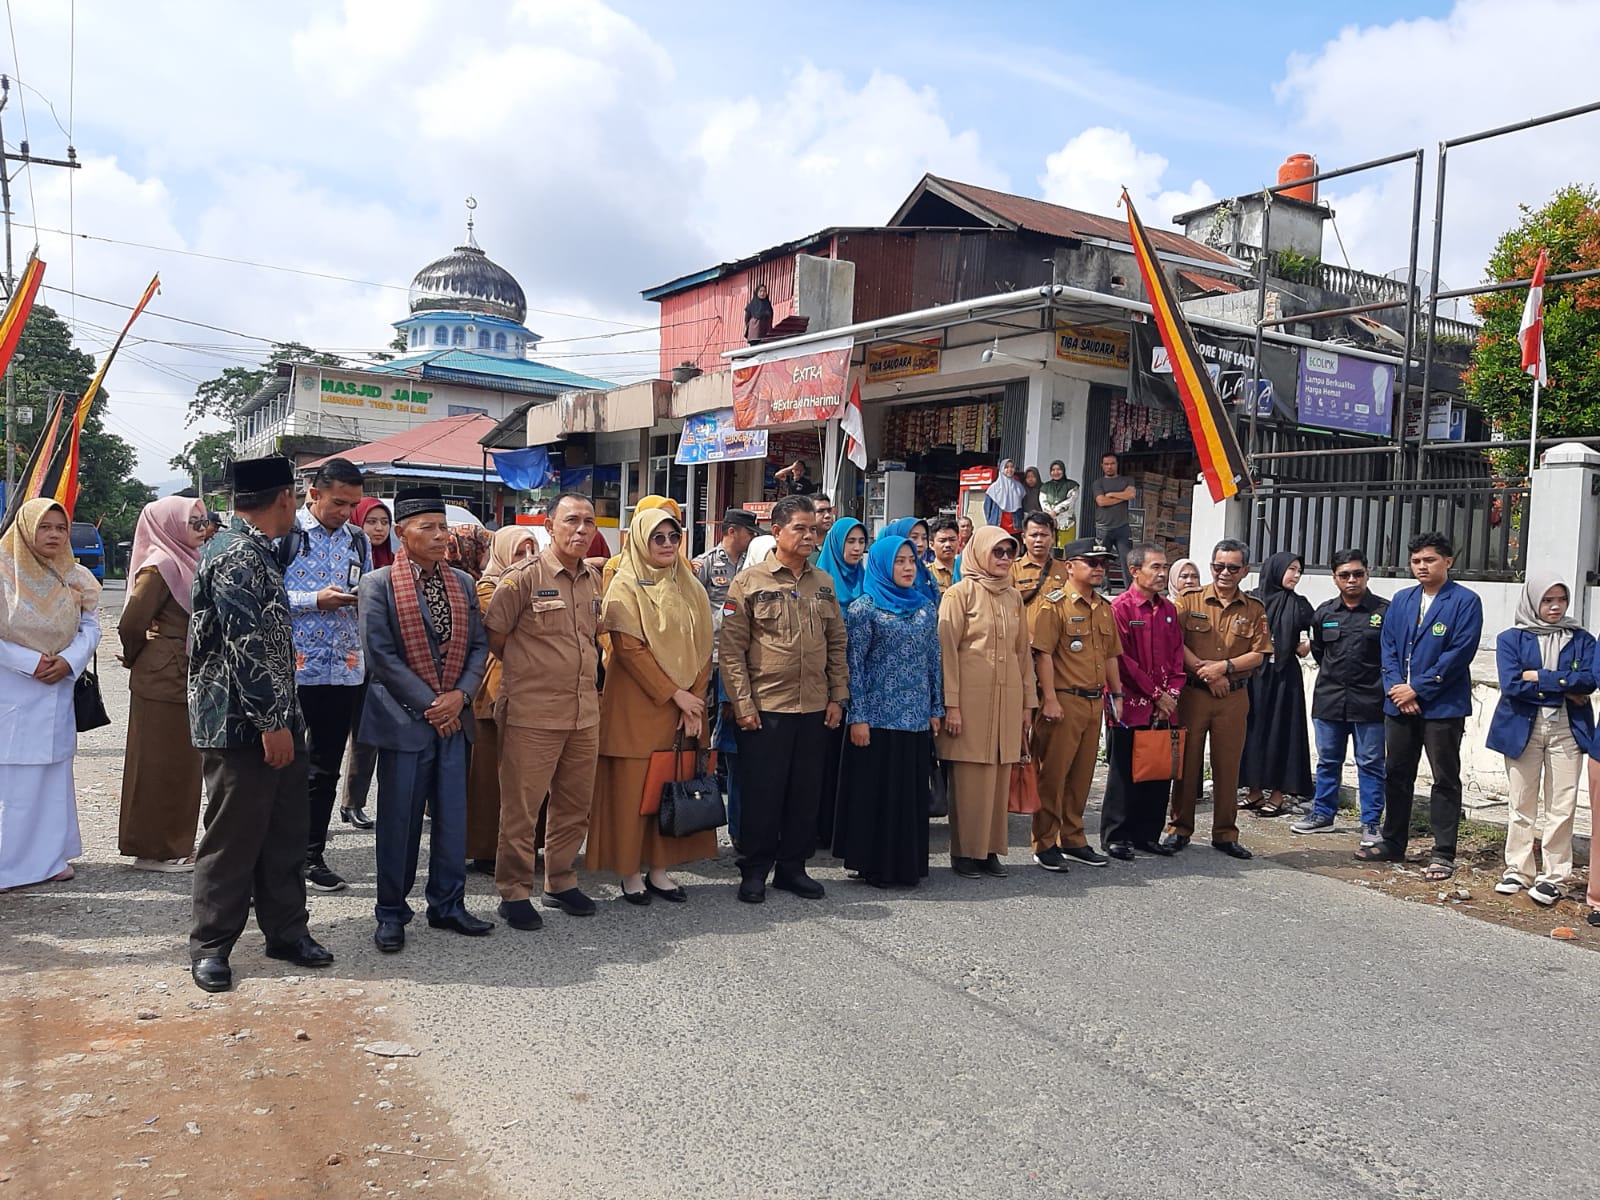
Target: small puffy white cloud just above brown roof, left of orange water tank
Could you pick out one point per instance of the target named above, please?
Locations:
(1094, 167)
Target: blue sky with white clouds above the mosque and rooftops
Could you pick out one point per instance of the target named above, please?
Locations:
(614, 146)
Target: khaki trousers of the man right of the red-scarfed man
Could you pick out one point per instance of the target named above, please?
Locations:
(534, 762)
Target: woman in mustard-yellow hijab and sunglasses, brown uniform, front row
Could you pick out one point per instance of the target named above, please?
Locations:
(660, 623)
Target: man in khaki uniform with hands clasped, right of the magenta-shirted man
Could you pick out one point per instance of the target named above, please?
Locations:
(1225, 642)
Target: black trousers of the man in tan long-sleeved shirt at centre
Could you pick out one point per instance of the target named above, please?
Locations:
(780, 788)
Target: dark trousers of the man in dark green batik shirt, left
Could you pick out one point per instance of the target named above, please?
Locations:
(254, 847)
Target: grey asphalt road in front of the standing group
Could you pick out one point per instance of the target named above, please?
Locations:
(1188, 1028)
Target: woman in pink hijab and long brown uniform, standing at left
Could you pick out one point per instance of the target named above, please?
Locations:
(161, 767)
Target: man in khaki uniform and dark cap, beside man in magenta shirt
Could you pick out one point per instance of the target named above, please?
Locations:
(1076, 650)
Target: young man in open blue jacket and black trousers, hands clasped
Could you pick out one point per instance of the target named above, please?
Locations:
(1431, 634)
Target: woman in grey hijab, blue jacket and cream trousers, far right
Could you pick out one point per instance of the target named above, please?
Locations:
(1543, 724)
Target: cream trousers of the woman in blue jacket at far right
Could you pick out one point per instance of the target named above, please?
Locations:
(1550, 766)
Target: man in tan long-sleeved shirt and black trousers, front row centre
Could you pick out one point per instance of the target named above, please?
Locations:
(785, 670)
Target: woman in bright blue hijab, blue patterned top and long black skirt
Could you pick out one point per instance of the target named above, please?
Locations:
(897, 702)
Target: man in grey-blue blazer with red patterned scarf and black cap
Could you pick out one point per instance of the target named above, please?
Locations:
(426, 652)
